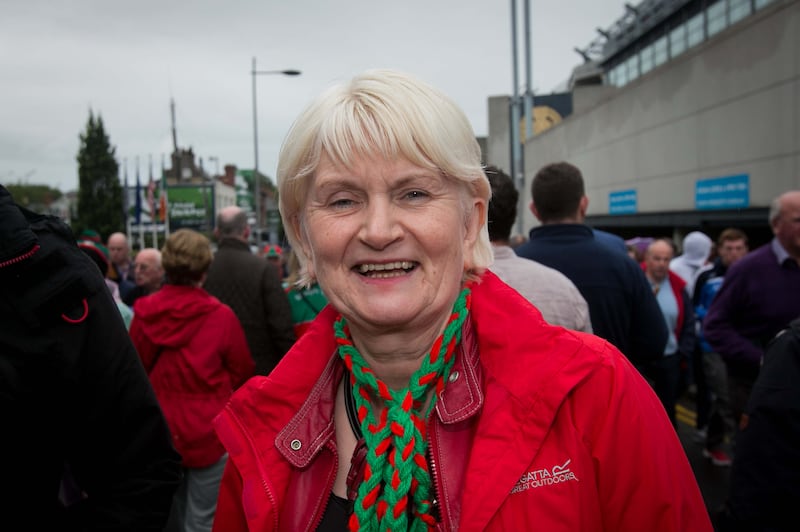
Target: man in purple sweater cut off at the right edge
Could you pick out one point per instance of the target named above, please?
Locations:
(759, 297)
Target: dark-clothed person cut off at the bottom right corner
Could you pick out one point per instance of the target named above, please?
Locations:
(765, 477)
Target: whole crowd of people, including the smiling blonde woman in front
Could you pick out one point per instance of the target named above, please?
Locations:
(402, 362)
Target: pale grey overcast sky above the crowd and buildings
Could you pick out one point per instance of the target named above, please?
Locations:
(126, 60)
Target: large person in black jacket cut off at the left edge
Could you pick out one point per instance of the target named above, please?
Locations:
(84, 442)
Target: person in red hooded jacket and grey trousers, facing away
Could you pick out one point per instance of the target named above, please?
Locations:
(195, 352)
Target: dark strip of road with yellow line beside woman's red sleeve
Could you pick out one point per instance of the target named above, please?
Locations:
(713, 480)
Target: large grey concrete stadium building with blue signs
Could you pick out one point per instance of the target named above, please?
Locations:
(688, 119)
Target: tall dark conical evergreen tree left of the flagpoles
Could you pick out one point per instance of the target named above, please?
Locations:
(99, 192)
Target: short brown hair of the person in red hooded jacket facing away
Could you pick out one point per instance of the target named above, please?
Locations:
(186, 256)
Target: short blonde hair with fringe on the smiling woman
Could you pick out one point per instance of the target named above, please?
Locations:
(392, 115)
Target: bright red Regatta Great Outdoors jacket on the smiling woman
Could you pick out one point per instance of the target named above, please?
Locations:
(539, 428)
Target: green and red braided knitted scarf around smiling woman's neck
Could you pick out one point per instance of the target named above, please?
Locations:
(396, 467)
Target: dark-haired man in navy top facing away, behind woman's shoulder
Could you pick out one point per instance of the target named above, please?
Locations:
(622, 307)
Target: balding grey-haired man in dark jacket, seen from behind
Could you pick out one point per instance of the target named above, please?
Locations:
(252, 288)
